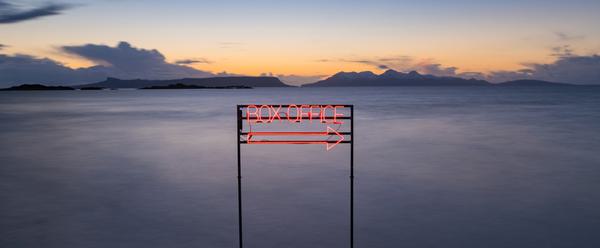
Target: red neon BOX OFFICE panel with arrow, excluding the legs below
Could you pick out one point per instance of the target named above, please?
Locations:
(296, 116)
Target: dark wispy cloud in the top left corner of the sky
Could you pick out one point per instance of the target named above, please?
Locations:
(9, 13)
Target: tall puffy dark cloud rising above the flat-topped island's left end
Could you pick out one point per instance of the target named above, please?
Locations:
(126, 61)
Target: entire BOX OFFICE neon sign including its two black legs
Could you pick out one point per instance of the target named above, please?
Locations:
(295, 124)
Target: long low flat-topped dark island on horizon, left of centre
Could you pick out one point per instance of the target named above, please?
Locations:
(206, 82)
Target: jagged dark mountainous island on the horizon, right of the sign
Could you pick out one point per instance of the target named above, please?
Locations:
(394, 78)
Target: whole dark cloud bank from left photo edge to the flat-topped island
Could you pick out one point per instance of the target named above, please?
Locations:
(122, 61)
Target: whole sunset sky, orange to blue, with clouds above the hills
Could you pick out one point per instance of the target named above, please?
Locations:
(300, 41)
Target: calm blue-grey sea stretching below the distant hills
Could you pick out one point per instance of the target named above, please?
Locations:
(435, 167)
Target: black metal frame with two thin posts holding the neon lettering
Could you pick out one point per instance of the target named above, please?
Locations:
(328, 143)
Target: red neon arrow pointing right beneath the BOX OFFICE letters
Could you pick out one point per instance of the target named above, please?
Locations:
(329, 144)
